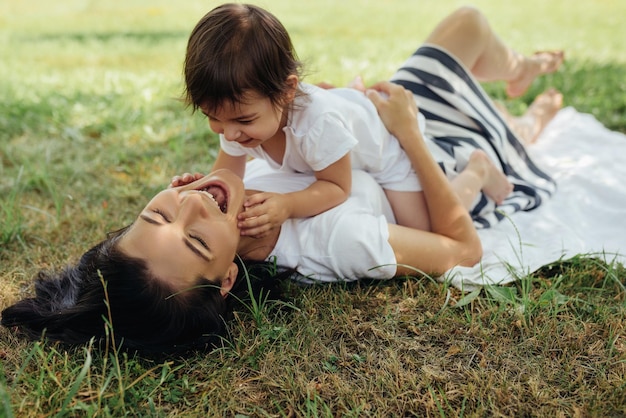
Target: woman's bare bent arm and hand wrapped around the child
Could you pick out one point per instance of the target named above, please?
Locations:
(453, 240)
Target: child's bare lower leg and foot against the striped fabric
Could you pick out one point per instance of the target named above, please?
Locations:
(481, 174)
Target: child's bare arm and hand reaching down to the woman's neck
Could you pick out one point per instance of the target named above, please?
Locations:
(264, 211)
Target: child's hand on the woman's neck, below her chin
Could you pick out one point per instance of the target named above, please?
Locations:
(263, 212)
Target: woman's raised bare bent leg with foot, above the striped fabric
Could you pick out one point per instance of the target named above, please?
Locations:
(466, 34)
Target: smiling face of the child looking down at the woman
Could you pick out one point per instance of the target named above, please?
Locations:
(250, 123)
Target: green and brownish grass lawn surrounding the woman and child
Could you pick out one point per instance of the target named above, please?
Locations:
(91, 126)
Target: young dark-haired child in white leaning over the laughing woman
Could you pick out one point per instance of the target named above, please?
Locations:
(242, 72)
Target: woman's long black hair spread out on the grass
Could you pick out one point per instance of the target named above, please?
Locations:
(109, 294)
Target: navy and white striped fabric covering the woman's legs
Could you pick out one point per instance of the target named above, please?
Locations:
(460, 117)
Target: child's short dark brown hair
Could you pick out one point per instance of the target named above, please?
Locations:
(235, 49)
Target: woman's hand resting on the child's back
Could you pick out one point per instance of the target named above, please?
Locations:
(398, 110)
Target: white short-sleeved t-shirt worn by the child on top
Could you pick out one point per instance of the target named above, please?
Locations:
(325, 125)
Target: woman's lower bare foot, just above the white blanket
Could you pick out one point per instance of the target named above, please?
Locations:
(542, 110)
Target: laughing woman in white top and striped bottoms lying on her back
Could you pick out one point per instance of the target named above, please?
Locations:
(167, 281)
